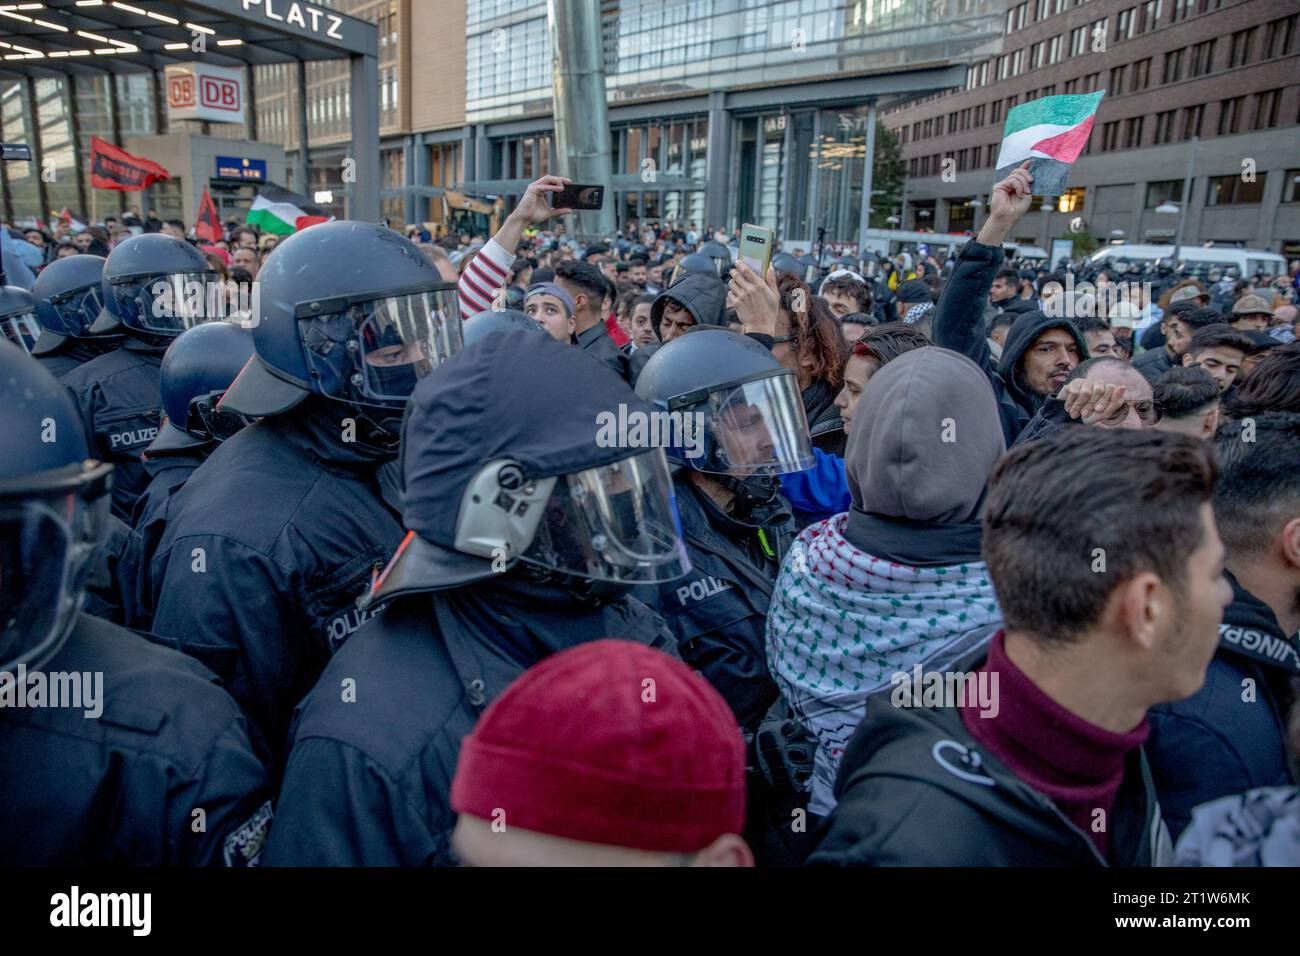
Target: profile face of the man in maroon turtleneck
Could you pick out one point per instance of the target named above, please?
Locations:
(1189, 618)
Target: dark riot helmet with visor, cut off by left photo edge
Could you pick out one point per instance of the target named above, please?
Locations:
(54, 512)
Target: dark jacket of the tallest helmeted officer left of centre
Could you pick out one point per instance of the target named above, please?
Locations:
(266, 551)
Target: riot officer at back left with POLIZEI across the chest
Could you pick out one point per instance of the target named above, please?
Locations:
(155, 288)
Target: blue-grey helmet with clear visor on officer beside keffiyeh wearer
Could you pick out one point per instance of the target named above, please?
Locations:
(739, 412)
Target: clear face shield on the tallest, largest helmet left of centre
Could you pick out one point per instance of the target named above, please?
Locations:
(374, 352)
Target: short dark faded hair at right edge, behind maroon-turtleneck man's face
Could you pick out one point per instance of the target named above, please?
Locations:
(1259, 487)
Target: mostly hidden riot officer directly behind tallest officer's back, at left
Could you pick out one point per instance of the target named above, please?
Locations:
(197, 370)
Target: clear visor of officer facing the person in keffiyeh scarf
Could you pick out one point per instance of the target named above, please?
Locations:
(759, 427)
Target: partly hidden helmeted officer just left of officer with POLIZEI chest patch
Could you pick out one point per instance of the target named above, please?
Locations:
(70, 300)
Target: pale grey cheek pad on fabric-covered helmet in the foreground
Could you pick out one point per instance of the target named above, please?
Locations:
(501, 512)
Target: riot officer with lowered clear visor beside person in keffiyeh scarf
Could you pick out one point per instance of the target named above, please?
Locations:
(742, 425)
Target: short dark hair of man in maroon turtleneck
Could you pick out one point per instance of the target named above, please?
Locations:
(1042, 556)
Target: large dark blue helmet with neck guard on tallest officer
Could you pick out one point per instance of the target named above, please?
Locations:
(352, 312)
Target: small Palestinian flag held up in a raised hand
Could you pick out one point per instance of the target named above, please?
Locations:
(1051, 133)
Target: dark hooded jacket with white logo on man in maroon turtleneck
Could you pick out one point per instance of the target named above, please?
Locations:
(917, 790)
